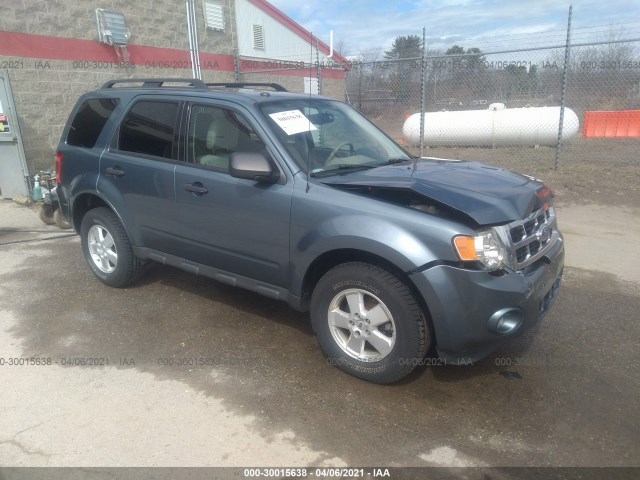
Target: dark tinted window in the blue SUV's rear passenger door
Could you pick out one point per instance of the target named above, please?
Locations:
(149, 128)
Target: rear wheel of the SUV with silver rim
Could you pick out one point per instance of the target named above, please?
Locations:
(107, 248)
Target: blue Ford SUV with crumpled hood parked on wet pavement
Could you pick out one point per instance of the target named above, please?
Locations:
(302, 199)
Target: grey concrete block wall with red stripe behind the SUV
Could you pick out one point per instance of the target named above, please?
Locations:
(52, 52)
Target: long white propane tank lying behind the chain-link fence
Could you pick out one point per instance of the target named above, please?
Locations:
(496, 126)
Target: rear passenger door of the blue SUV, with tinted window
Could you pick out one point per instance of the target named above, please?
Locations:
(137, 172)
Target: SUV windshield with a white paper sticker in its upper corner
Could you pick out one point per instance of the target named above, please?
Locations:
(326, 137)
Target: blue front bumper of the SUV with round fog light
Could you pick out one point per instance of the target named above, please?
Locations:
(473, 312)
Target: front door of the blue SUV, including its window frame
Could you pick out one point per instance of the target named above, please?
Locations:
(236, 225)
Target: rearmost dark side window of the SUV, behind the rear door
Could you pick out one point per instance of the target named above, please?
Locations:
(90, 120)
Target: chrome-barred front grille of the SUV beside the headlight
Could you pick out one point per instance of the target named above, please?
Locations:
(532, 237)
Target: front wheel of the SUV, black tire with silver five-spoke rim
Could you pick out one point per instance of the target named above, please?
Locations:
(368, 323)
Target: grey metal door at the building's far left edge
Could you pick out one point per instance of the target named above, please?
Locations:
(13, 165)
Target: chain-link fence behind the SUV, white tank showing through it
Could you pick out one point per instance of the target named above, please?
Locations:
(569, 113)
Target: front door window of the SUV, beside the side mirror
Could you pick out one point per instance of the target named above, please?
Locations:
(215, 133)
